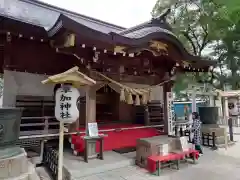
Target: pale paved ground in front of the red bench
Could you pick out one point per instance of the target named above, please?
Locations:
(214, 165)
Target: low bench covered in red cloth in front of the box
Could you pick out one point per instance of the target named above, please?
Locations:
(155, 162)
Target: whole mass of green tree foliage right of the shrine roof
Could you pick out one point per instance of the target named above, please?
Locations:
(204, 25)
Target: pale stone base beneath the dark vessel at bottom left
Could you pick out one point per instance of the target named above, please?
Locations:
(15, 166)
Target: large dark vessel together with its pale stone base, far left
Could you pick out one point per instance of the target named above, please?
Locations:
(14, 164)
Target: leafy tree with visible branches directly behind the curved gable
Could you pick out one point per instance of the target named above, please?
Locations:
(189, 20)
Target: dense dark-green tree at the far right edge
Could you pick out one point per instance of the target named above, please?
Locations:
(226, 28)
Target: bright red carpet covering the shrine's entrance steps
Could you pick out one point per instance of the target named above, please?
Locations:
(116, 140)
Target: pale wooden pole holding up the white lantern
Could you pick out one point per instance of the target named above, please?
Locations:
(60, 150)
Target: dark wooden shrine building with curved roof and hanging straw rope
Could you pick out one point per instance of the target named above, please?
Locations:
(134, 67)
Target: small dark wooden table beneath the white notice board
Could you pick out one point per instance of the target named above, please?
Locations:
(87, 140)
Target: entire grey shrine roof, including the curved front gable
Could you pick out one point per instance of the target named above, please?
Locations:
(32, 12)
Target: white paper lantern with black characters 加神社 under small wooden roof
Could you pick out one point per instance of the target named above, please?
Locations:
(66, 104)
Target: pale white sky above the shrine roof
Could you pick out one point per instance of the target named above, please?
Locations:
(125, 13)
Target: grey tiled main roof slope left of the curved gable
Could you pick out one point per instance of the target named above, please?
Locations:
(41, 14)
